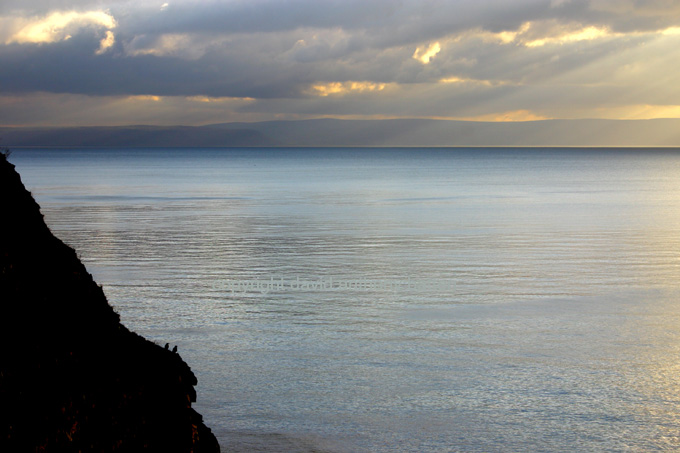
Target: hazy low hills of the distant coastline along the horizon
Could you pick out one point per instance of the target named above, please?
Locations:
(360, 133)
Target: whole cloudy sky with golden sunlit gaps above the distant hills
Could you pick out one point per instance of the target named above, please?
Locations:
(189, 62)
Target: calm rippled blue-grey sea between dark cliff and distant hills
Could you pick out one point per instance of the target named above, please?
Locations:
(394, 299)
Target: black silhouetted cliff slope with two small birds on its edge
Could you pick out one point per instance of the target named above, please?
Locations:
(72, 377)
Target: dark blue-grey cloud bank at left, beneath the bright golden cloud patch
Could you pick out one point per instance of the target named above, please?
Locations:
(72, 67)
